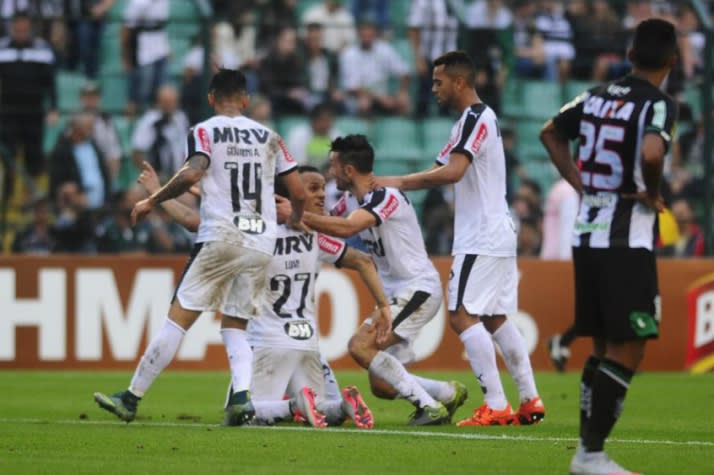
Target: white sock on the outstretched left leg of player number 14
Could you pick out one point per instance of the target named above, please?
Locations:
(157, 356)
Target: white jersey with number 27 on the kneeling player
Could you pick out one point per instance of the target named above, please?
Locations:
(287, 315)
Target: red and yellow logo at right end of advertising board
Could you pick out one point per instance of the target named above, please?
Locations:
(700, 334)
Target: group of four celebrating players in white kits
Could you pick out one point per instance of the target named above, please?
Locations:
(260, 212)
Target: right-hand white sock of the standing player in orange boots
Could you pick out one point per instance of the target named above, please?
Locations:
(513, 348)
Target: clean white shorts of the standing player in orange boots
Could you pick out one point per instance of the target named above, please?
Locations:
(484, 285)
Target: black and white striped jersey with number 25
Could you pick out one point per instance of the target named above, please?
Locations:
(611, 121)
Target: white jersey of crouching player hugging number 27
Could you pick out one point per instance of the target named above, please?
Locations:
(395, 242)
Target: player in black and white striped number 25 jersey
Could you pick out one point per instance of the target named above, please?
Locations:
(625, 128)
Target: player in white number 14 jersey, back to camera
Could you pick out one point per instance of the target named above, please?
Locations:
(236, 160)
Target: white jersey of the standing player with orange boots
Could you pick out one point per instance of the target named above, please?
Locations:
(482, 221)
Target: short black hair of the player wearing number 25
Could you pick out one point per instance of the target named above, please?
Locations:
(654, 45)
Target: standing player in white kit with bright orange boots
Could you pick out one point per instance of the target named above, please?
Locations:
(483, 283)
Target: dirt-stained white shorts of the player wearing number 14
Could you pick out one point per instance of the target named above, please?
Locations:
(226, 277)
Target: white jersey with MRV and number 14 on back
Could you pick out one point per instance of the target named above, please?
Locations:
(237, 202)
